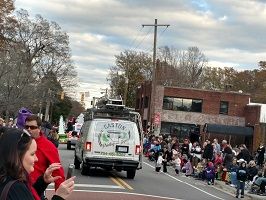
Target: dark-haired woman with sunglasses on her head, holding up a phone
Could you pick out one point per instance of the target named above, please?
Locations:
(17, 150)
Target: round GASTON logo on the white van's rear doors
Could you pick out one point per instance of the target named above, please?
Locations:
(113, 133)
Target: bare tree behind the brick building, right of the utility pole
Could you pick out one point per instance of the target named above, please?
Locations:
(182, 68)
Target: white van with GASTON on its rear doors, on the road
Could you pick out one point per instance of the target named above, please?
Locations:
(110, 142)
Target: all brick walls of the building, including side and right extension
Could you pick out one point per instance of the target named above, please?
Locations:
(239, 114)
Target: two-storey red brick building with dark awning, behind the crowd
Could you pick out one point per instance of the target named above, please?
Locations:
(201, 114)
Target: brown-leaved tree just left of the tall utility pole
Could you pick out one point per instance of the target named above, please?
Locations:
(130, 70)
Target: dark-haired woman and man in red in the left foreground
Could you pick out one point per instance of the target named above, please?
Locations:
(29, 163)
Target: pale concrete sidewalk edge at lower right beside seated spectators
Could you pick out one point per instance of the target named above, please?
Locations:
(227, 188)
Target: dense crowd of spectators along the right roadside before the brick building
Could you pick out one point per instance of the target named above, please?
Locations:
(209, 161)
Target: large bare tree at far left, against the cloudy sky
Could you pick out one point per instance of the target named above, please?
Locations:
(35, 49)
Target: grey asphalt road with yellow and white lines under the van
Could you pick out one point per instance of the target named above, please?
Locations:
(147, 184)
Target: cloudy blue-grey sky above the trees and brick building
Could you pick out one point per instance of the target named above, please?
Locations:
(231, 33)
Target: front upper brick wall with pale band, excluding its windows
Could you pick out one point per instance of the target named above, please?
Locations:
(210, 107)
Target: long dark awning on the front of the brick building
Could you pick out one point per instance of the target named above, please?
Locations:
(228, 130)
